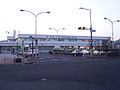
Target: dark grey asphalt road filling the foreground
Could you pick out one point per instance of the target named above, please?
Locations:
(53, 72)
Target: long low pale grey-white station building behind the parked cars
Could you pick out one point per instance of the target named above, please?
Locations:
(48, 42)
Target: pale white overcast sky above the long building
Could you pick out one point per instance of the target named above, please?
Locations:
(64, 14)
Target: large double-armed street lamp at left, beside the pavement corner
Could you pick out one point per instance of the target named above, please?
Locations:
(35, 15)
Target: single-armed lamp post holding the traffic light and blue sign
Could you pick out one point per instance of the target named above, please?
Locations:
(91, 40)
